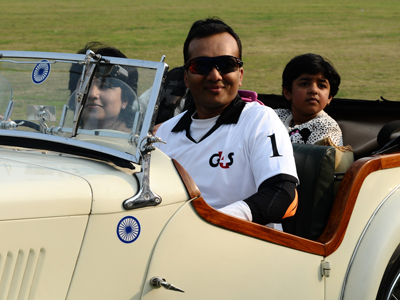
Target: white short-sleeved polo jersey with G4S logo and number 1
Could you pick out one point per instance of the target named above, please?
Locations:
(250, 146)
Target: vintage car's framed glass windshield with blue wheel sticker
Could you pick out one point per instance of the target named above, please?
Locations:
(88, 101)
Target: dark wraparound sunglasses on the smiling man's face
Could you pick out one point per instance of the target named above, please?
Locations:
(203, 65)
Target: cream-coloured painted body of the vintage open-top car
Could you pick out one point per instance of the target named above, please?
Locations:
(60, 216)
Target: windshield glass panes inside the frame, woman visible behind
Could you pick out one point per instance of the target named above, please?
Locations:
(113, 112)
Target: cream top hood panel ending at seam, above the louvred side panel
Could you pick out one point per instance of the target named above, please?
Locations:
(43, 193)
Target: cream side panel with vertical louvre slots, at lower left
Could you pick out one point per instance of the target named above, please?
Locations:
(39, 256)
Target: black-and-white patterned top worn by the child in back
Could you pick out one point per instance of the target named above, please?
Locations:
(316, 129)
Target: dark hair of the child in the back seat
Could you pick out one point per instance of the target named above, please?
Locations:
(310, 64)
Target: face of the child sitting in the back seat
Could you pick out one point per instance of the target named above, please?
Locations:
(309, 95)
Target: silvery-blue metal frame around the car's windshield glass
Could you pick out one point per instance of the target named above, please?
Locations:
(26, 138)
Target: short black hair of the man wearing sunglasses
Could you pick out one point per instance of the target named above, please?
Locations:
(207, 27)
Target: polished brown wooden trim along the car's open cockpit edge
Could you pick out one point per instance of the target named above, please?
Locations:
(338, 221)
